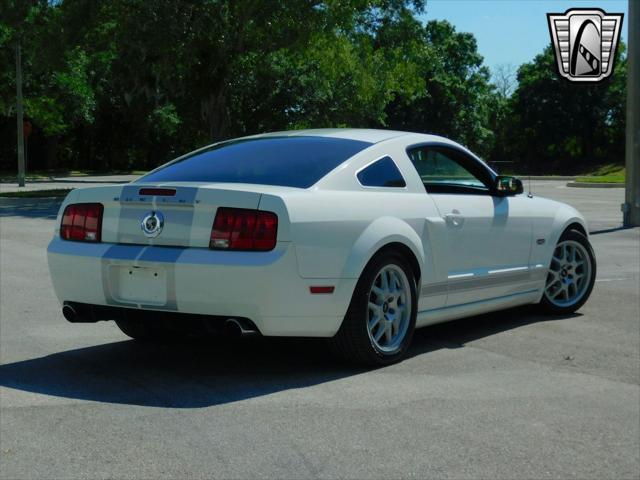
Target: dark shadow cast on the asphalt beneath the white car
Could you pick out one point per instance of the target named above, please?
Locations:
(196, 374)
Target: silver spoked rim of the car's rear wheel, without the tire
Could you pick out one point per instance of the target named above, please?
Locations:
(389, 309)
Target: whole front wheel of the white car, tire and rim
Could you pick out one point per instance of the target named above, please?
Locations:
(571, 275)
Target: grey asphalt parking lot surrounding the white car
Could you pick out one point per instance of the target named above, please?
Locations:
(507, 395)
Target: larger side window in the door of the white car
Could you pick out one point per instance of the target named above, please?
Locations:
(444, 170)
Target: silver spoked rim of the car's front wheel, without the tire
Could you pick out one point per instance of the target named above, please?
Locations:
(570, 273)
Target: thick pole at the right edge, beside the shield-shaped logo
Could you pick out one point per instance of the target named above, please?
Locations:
(631, 207)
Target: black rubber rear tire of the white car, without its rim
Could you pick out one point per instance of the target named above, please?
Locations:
(353, 342)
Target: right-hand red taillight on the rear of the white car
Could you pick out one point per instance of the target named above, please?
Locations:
(243, 229)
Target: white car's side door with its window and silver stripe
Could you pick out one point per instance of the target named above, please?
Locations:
(488, 235)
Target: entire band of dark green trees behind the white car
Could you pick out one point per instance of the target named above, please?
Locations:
(132, 83)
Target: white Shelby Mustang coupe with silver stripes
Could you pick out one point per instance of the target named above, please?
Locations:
(359, 236)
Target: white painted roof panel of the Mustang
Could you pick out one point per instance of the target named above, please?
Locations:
(361, 134)
